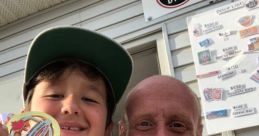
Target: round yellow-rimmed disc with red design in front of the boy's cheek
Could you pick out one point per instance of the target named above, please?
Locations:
(33, 124)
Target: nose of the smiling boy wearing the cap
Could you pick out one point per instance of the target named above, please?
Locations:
(70, 105)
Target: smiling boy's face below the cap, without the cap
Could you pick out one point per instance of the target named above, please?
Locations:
(77, 103)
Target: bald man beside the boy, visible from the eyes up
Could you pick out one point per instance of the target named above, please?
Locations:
(163, 106)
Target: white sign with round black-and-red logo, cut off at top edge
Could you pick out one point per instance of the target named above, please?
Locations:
(157, 8)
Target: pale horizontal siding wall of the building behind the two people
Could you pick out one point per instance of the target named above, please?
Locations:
(122, 20)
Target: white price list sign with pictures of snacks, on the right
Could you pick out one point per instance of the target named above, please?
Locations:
(225, 47)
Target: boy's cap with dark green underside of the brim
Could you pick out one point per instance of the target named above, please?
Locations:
(113, 61)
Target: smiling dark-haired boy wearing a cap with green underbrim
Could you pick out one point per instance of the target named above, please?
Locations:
(77, 76)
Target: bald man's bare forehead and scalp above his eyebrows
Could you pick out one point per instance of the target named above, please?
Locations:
(162, 90)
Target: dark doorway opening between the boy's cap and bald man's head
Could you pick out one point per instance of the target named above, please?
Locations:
(145, 63)
